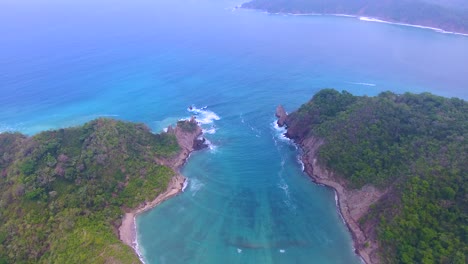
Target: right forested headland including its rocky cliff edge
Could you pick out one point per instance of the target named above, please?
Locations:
(399, 165)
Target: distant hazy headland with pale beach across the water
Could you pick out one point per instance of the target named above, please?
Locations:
(436, 14)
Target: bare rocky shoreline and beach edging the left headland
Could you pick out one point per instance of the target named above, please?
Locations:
(189, 141)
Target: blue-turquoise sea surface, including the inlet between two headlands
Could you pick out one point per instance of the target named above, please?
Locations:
(63, 63)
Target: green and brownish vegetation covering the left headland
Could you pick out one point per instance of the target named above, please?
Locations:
(63, 192)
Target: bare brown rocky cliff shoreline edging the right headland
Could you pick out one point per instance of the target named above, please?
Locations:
(353, 204)
